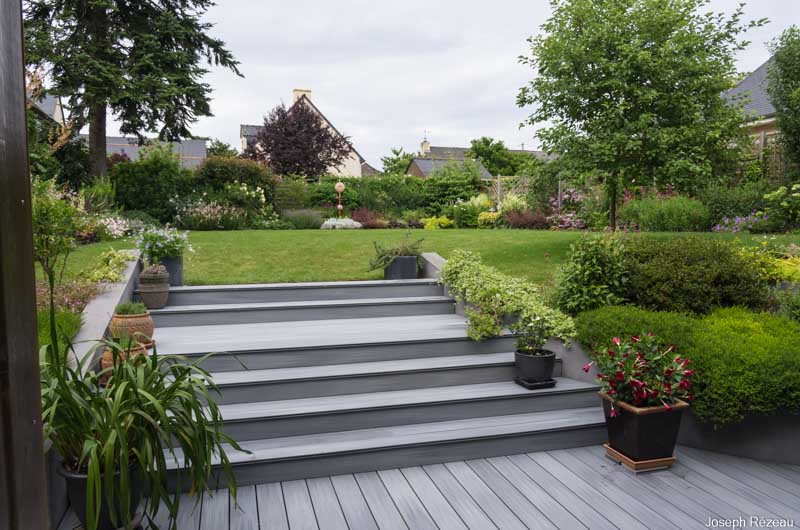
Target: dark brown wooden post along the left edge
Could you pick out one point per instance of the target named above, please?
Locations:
(23, 495)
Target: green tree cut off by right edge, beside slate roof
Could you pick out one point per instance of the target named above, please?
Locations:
(784, 89)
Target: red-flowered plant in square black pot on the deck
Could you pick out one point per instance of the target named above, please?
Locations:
(642, 383)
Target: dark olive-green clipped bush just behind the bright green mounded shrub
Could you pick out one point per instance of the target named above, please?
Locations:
(691, 274)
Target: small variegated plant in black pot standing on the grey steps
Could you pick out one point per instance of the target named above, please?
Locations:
(534, 325)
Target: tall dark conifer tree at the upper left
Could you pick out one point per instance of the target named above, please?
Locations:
(141, 60)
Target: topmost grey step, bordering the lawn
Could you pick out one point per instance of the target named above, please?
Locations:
(298, 292)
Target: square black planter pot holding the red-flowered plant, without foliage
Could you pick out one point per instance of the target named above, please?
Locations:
(643, 433)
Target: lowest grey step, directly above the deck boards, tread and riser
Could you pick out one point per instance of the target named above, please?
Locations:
(354, 451)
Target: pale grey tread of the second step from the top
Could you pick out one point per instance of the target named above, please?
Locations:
(312, 304)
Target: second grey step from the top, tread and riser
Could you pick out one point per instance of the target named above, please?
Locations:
(250, 313)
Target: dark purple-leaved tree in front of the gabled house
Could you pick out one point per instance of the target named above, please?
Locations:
(295, 141)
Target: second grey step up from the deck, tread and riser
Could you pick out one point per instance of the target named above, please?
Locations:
(271, 419)
